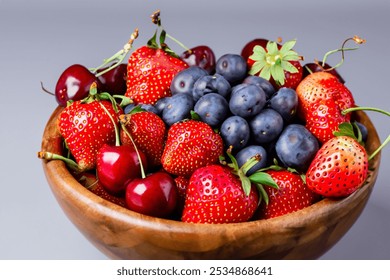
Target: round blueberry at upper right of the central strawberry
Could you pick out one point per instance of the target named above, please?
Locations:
(235, 132)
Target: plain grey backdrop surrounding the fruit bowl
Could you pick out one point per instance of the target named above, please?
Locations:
(39, 39)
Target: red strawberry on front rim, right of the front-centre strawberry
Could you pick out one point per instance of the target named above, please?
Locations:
(291, 195)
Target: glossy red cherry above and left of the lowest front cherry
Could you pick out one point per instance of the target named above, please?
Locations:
(116, 165)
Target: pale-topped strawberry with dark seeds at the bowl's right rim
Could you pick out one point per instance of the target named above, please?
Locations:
(339, 168)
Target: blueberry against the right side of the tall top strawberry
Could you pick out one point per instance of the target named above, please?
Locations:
(184, 81)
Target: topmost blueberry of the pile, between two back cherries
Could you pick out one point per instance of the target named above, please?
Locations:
(233, 67)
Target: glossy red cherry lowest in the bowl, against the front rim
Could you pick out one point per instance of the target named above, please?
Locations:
(155, 195)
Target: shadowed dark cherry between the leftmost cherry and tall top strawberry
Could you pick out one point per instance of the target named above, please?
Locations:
(114, 81)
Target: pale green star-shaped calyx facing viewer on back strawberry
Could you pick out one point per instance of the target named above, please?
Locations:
(272, 61)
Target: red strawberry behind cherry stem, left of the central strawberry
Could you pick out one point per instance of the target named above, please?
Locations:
(148, 132)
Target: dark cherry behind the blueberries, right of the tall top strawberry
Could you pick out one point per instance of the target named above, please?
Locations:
(202, 56)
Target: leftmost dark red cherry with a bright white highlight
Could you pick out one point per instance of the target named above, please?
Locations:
(74, 84)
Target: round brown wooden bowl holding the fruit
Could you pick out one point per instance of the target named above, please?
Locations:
(123, 234)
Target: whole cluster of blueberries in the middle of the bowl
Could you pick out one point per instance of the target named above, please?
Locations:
(250, 115)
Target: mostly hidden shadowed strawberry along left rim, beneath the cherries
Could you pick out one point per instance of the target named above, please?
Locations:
(90, 181)
